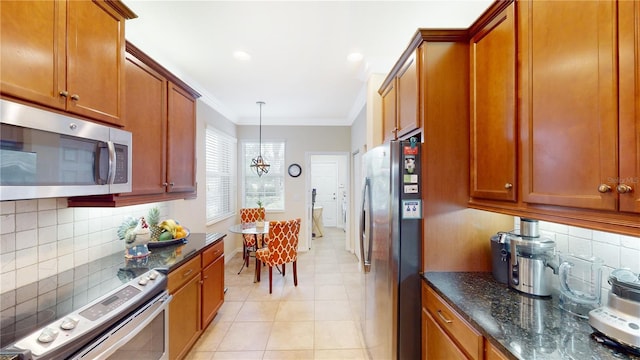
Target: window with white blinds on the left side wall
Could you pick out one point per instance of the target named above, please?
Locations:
(221, 175)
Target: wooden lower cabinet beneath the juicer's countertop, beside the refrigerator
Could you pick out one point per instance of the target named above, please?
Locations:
(447, 336)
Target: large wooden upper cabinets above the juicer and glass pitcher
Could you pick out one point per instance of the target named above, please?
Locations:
(576, 144)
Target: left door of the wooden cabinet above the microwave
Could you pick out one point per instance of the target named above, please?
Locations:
(32, 55)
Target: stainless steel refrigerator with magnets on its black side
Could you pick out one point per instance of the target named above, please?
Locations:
(391, 232)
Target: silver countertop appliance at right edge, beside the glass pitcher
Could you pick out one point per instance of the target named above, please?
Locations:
(619, 320)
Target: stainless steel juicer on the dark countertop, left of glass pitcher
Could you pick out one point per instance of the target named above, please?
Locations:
(530, 256)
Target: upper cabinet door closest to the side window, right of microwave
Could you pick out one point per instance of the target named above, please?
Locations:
(181, 136)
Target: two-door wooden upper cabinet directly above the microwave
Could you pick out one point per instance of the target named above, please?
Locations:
(66, 55)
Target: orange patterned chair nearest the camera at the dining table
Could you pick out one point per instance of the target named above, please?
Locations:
(282, 248)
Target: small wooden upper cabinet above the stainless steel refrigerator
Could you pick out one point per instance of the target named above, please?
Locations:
(400, 112)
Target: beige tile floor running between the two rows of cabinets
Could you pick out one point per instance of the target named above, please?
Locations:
(318, 319)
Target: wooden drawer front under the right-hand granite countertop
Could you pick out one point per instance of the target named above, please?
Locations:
(462, 333)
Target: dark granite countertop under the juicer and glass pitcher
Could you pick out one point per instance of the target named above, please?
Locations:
(521, 326)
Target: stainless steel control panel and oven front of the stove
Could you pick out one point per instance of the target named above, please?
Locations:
(128, 322)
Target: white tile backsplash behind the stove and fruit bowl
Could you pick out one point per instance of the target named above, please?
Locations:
(43, 237)
